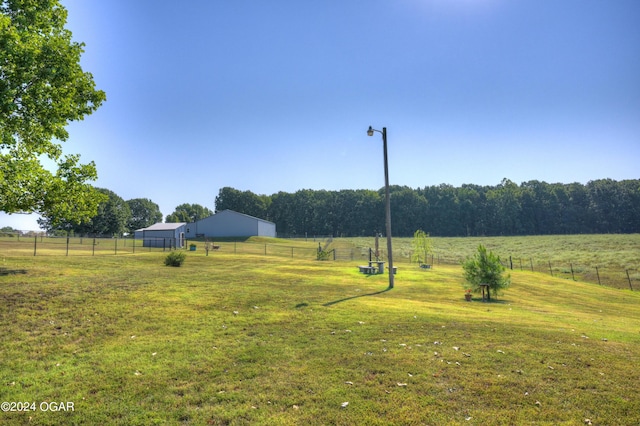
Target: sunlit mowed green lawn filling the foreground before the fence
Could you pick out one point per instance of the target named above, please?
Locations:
(254, 339)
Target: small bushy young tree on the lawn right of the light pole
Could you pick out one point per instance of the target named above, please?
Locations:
(485, 268)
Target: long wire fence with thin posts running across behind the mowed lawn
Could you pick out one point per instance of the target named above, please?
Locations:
(42, 245)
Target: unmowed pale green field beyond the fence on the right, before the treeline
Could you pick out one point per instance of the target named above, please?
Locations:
(611, 259)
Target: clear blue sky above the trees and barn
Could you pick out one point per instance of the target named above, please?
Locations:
(277, 95)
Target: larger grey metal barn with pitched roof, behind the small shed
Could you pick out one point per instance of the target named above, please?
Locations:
(228, 223)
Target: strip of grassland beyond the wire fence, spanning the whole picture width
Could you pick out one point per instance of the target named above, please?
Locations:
(612, 259)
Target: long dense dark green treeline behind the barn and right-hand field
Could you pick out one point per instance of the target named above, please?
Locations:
(531, 208)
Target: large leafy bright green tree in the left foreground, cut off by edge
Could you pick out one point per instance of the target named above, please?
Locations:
(42, 89)
